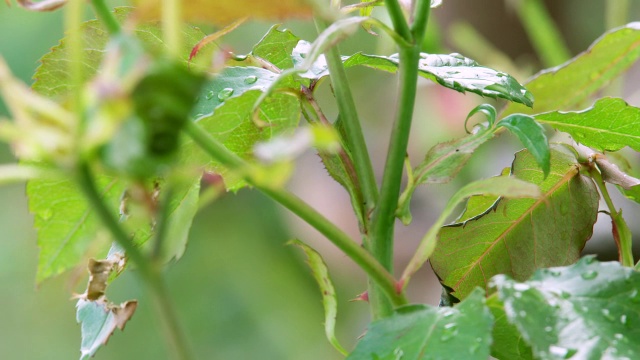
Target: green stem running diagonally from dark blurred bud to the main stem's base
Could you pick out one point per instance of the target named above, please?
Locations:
(354, 251)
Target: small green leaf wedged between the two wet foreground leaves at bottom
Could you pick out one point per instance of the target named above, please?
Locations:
(508, 343)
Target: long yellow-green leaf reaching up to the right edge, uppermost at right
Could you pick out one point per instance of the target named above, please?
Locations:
(574, 82)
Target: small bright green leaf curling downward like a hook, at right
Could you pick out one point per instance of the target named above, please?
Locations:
(532, 136)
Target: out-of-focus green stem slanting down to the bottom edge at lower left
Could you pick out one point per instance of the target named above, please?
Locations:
(149, 274)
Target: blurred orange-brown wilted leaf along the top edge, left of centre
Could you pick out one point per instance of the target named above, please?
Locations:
(224, 12)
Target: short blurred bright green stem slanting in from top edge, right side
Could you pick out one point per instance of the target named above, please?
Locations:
(543, 33)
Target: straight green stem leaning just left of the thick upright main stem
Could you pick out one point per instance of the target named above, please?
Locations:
(349, 116)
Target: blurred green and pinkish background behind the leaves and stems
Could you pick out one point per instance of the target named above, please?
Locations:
(239, 291)
